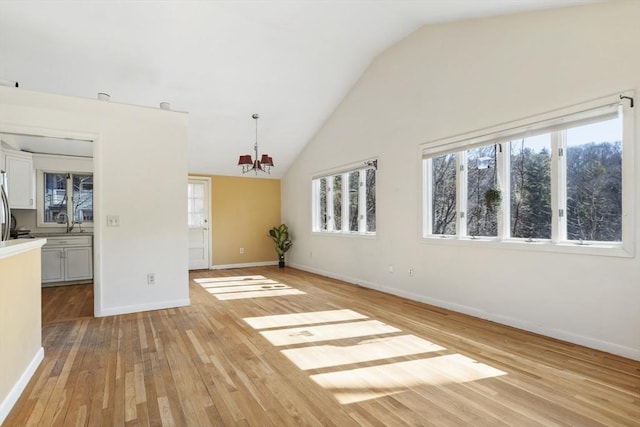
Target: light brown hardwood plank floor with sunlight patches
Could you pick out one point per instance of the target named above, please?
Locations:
(301, 349)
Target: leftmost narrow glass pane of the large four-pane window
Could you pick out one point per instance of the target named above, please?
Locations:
(443, 194)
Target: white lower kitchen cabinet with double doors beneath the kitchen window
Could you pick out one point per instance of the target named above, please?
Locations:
(67, 260)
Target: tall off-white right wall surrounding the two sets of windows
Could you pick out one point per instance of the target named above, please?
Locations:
(454, 78)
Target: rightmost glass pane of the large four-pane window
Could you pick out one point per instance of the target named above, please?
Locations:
(594, 182)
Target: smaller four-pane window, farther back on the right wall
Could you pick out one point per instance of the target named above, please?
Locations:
(345, 202)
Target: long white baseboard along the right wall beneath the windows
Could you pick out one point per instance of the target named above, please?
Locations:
(609, 347)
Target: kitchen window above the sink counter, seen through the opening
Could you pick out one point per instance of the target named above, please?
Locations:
(67, 195)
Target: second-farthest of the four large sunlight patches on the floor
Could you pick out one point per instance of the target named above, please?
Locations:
(327, 332)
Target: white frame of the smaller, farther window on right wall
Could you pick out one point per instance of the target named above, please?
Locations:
(329, 177)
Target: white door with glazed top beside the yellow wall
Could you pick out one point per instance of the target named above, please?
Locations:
(199, 229)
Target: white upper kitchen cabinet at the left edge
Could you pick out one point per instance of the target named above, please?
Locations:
(20, 179)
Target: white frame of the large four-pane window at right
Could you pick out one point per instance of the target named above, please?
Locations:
(553, 121)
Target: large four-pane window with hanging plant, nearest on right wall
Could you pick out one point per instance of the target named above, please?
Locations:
(559, 180)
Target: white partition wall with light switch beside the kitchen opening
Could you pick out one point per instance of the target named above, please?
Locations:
(140, 174)
